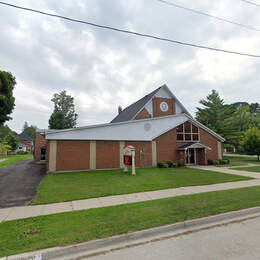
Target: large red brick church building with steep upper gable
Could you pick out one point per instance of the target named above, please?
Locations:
(157, 125)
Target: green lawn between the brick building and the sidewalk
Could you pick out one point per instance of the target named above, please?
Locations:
(82, 185)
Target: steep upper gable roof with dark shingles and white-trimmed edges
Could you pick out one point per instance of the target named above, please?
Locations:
(131, 111)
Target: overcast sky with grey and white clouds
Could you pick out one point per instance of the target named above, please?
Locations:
(103, 69)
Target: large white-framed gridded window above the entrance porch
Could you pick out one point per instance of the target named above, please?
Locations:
(188, 132)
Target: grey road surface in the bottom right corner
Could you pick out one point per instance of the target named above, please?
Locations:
(238, 241)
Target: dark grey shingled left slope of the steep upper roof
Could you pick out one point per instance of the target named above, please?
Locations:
(129, 112)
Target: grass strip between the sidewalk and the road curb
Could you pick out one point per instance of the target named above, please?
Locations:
(74, 227)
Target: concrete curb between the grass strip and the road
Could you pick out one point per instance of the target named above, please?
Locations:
(118, 242)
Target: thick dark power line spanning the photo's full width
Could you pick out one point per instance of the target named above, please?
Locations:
(131, 32)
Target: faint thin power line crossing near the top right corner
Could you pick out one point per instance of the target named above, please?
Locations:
(209, 15)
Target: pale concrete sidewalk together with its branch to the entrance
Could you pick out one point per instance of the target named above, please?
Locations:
(7, 214)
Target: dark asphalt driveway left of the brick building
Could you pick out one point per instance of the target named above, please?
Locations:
(19, 182)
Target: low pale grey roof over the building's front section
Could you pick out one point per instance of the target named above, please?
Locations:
(134, 130)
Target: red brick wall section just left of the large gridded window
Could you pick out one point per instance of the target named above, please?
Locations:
(166, 147)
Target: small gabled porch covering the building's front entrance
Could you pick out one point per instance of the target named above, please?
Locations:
(193, 153)
